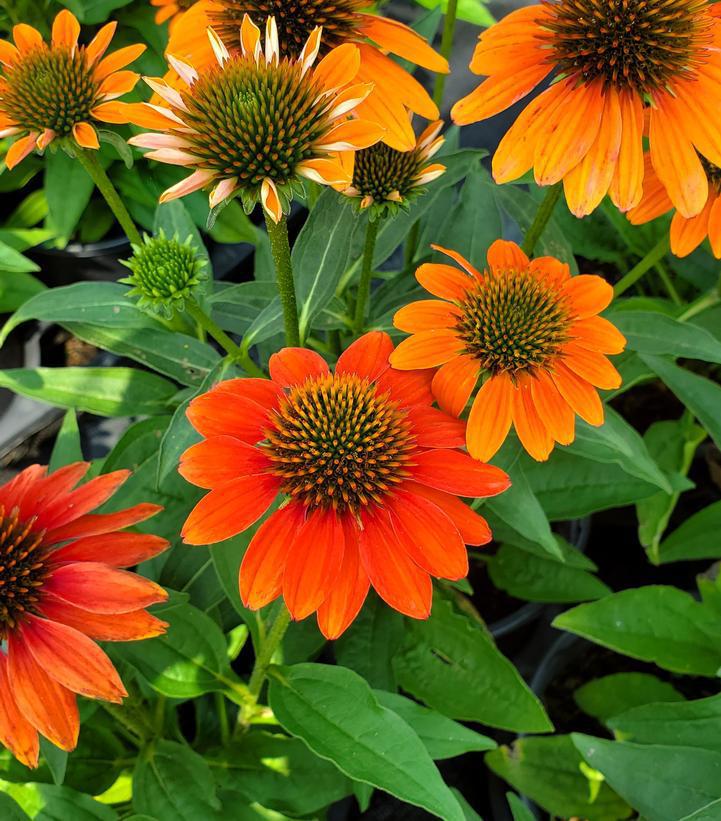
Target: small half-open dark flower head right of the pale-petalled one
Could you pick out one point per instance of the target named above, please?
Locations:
(385, 179)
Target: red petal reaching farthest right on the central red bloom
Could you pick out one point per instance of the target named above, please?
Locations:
(456, 472)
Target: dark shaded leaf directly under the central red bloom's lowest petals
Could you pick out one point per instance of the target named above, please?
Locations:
(371, 642)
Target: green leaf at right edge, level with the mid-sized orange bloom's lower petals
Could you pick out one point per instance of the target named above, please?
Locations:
(650, 332)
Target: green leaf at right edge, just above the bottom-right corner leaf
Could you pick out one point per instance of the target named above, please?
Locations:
(676, 724)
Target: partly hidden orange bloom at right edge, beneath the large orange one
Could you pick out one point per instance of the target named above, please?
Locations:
(686, 233)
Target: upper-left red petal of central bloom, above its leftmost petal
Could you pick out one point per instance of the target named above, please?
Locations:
(218, 414)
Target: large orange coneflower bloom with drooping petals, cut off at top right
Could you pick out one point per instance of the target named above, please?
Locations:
(608, 58)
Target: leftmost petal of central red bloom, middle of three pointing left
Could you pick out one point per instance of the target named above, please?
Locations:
(221, 459)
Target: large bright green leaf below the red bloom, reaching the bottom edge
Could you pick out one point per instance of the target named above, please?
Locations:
(335, 712)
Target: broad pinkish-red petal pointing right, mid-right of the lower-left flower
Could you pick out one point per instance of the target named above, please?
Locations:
(102, 589)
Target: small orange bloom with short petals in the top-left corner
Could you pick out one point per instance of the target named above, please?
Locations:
(55, 91)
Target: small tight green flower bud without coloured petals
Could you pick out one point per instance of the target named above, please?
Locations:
(164, 273)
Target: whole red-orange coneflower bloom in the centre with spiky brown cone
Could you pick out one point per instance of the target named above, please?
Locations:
(369, 476)
